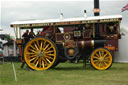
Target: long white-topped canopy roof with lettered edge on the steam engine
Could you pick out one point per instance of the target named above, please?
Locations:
(66, 21)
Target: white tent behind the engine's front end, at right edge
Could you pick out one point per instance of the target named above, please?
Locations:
(122, 54)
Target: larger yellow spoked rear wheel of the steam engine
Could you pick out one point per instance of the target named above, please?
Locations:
(40, 54)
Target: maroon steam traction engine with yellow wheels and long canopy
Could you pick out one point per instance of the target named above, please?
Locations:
(70, 39)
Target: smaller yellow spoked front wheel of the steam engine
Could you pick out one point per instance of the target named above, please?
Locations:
(101, 59)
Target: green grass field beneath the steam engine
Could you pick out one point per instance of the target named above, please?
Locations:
(65, 74)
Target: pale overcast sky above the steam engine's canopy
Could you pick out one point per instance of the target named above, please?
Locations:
(13, 10)
